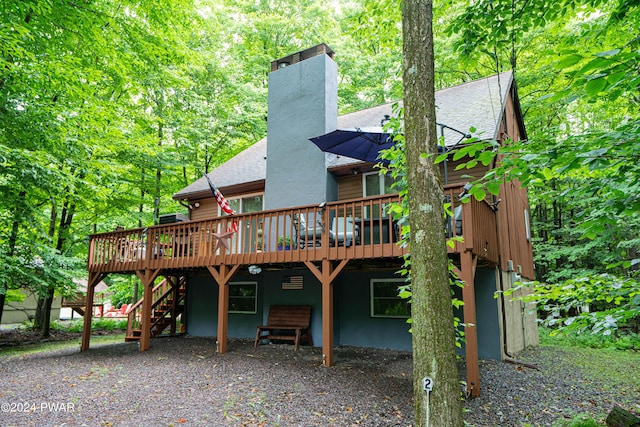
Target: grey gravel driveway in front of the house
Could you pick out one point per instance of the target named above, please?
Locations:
(183, 381)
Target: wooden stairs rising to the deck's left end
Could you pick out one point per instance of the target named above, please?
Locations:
(168, 304)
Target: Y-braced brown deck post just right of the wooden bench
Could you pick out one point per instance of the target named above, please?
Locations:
(326, 275)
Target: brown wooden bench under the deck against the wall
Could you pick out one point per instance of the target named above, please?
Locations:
(287, 322)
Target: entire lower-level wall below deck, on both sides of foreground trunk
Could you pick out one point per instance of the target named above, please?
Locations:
(353, 324)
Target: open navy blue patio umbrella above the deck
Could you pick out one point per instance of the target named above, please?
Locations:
(359, 143)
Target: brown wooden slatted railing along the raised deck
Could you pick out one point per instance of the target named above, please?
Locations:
(358, 229)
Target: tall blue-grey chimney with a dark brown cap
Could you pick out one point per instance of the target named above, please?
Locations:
(303, 103)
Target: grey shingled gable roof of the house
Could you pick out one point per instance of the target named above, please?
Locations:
(479, 104)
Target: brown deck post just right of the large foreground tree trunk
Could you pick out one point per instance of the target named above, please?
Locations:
(468, 264)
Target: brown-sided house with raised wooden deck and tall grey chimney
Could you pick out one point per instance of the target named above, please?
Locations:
(222, 273)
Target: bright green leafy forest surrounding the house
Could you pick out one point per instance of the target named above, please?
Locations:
(108, 108)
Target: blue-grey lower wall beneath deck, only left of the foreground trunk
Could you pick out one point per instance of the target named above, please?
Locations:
(353, 324)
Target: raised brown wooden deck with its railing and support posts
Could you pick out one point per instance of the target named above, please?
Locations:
(320, 238)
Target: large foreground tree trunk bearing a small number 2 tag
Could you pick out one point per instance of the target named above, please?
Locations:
(434, 353)
